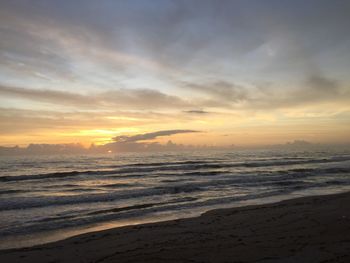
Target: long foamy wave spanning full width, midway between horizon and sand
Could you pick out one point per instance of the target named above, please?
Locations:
(229, 181)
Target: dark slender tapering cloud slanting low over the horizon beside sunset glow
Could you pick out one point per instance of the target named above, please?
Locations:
(149, 136)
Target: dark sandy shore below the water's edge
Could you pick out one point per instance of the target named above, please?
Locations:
(312, 229)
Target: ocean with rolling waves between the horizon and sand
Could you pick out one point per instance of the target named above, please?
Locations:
(48, 198)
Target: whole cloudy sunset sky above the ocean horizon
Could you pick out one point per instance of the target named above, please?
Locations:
(231, 72)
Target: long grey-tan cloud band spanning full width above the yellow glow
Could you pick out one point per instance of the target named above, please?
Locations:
(315, 88)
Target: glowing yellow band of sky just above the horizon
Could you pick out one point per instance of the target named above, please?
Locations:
(216, 129)
